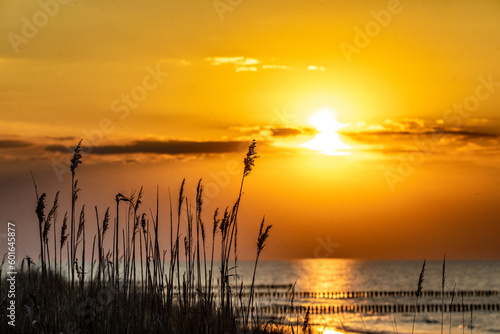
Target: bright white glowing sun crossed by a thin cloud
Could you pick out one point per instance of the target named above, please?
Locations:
(327, 140)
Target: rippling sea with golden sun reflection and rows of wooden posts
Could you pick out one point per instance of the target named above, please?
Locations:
(356, 296)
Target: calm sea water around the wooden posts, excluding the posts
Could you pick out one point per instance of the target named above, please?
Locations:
(335, 275)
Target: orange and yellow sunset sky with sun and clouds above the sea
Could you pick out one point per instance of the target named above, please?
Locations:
(162, 90)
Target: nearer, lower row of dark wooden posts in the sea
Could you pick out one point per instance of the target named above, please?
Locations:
(374, 308)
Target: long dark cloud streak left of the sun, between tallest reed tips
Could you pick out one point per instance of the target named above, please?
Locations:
(171, 147)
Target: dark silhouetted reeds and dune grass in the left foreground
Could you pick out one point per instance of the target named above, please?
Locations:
(134, 286)
